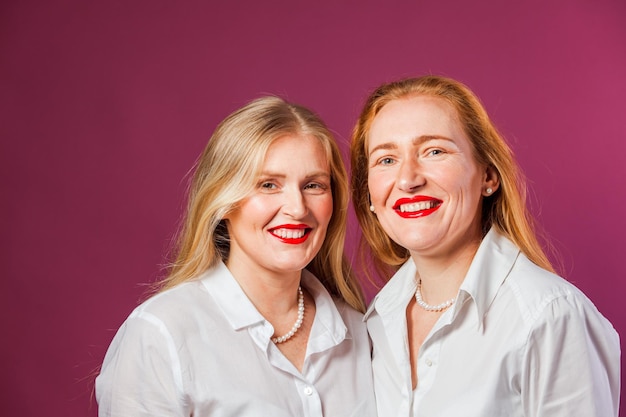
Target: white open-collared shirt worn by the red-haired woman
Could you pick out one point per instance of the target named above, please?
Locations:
(519, 341)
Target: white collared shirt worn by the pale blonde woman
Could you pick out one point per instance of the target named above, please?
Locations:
(202, 349)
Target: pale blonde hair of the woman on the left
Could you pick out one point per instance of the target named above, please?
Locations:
(227, 172)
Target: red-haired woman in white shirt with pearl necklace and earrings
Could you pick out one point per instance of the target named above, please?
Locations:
(474, 321)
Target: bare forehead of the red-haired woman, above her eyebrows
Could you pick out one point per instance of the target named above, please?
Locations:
(414, 117)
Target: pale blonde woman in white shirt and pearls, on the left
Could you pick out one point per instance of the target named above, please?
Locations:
(260, 314)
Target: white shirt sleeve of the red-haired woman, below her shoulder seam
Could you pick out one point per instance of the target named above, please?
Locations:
(571, 363)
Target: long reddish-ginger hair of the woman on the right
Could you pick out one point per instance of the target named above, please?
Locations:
(505, 209)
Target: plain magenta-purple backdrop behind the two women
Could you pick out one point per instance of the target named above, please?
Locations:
(106, 105)
